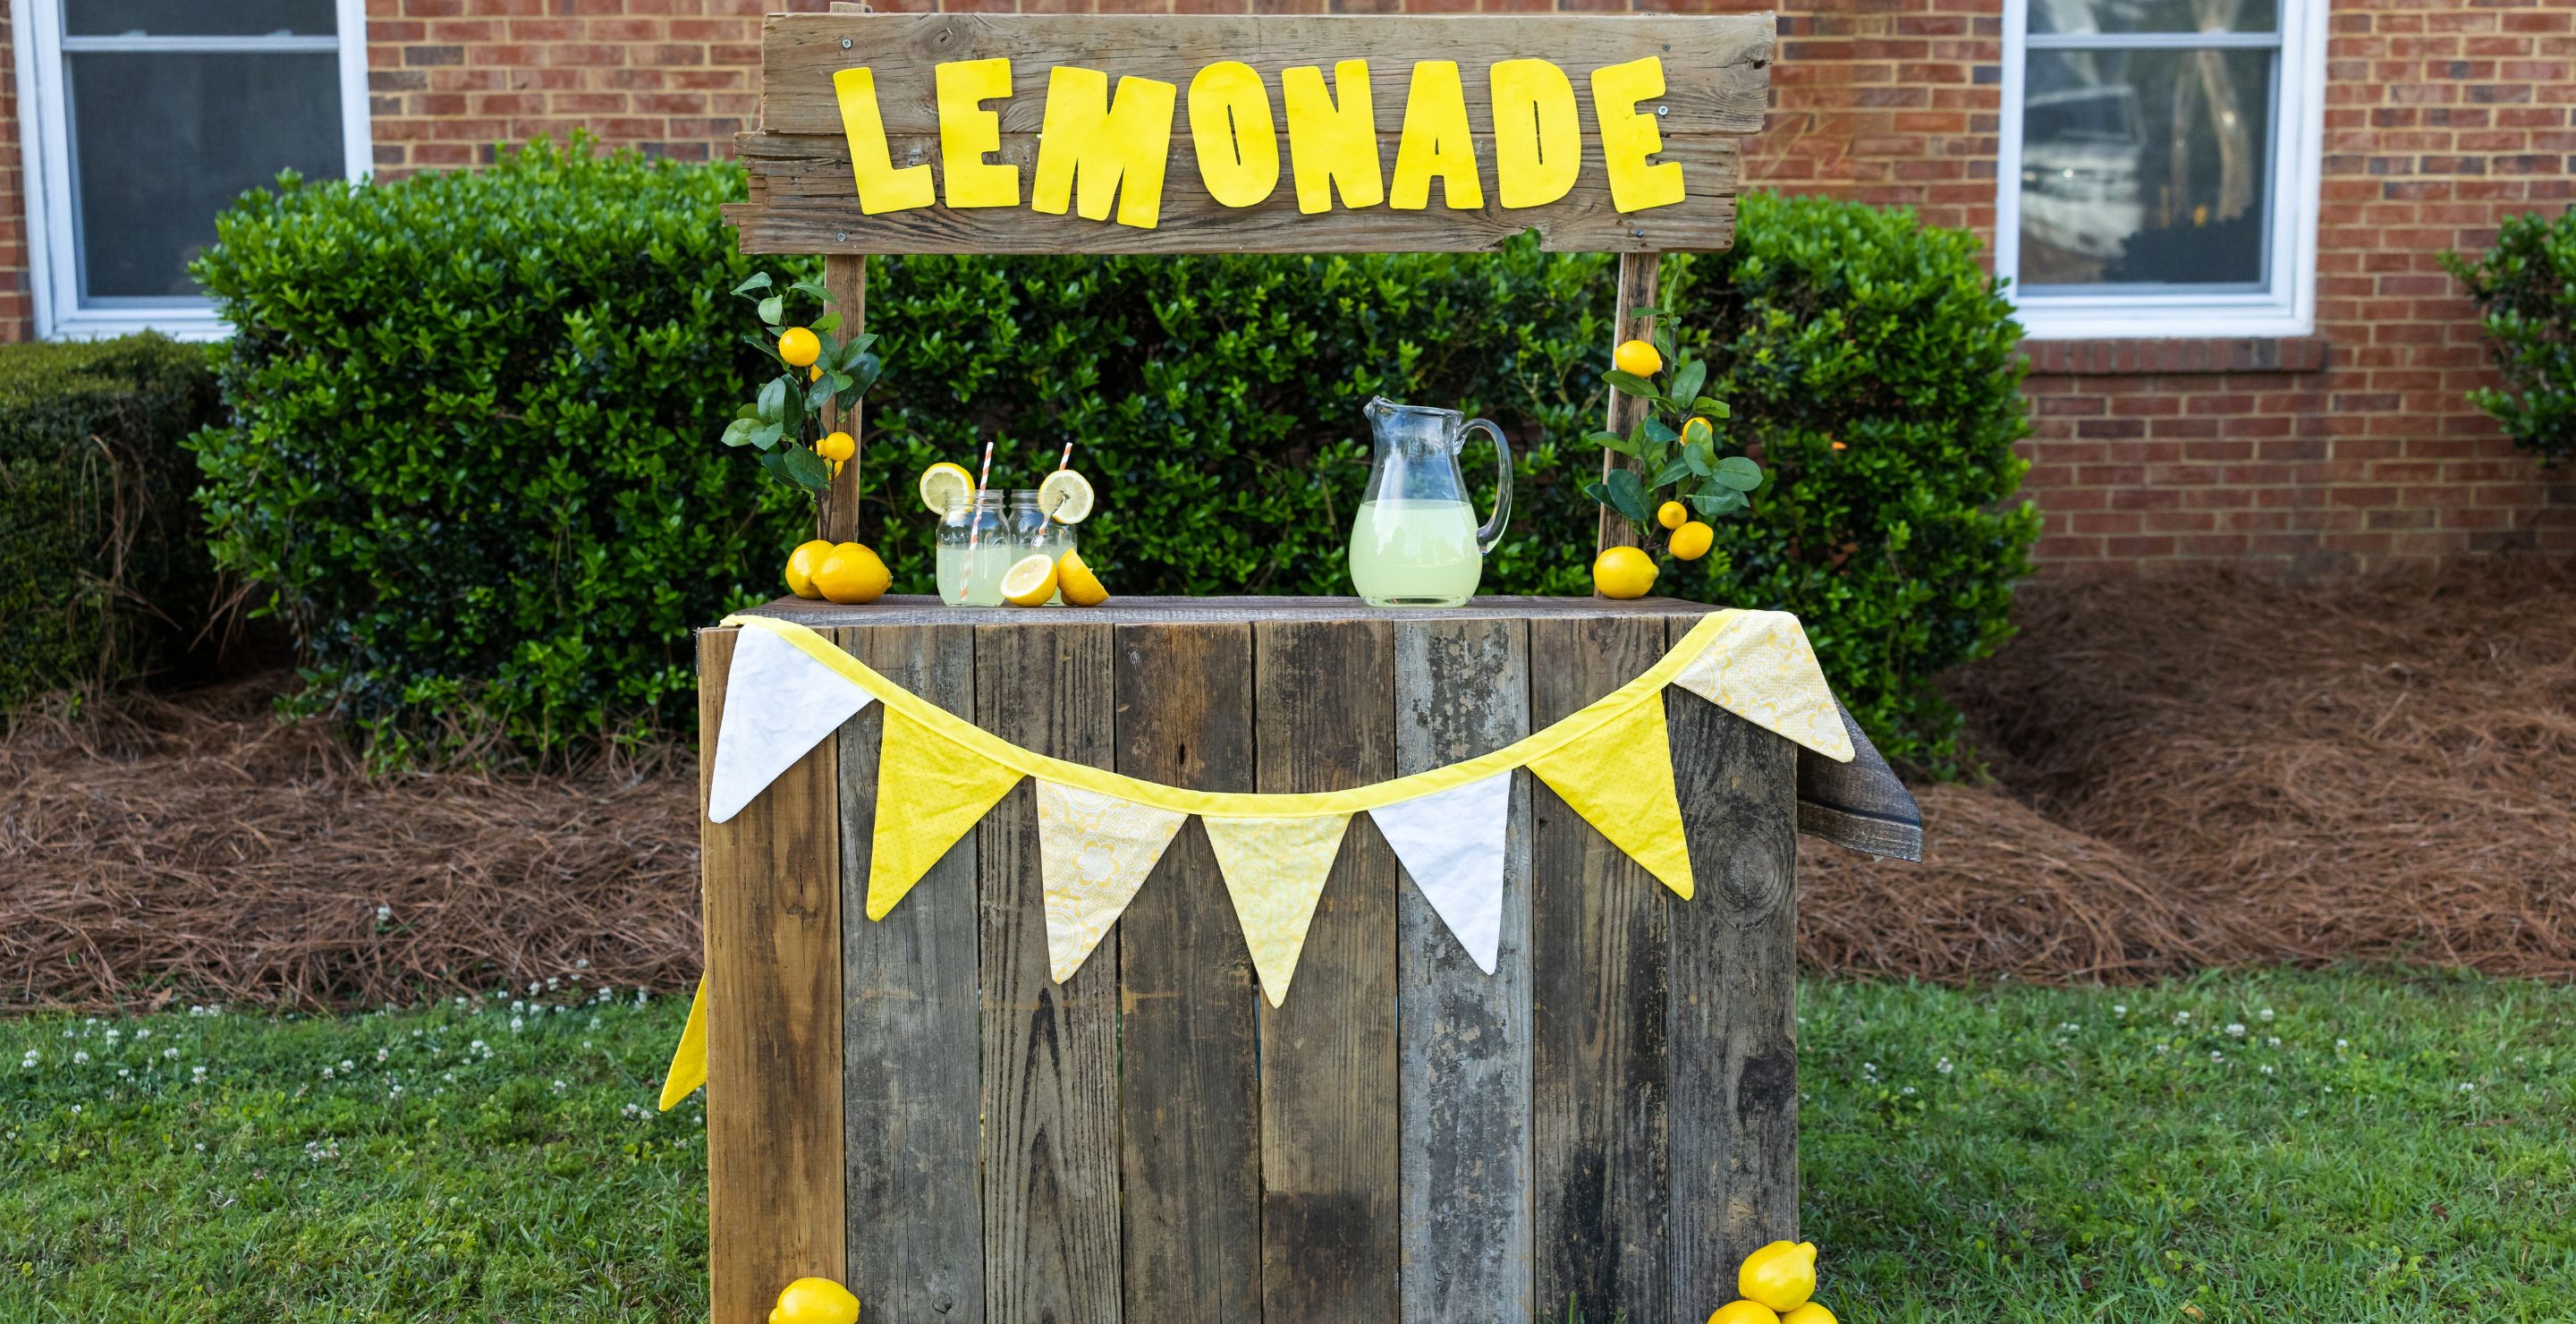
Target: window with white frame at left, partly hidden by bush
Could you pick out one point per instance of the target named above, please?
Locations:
(143, 120)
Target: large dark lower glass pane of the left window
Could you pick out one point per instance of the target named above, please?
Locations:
(161, 143)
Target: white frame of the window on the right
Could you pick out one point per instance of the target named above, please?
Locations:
(2299, 128)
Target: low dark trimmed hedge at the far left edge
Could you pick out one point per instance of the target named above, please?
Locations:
(102, 565)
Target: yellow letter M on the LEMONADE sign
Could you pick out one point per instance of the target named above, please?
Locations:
(1112, 148)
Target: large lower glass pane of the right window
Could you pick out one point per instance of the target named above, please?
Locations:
(2147, 169)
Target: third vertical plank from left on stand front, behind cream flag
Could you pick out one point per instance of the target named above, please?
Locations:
(1050, 1050)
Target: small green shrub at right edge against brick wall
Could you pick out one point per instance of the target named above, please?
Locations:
(2526, 292)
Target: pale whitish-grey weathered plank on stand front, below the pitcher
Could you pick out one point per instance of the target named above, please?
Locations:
(1462, 1034)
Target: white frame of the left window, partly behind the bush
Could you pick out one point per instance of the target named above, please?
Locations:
(45, 140)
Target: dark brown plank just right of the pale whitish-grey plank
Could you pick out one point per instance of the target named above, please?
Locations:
(1598, 965)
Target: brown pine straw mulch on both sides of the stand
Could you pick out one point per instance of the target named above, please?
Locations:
(2191, 774)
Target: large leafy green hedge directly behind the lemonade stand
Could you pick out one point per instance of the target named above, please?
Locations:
(478, 452)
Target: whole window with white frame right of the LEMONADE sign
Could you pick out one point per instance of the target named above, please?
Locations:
(2160, 166)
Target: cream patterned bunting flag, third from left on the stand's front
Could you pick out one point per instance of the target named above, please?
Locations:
(1094, 854)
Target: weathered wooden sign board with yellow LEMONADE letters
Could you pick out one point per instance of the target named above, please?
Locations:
(1653, 104)
